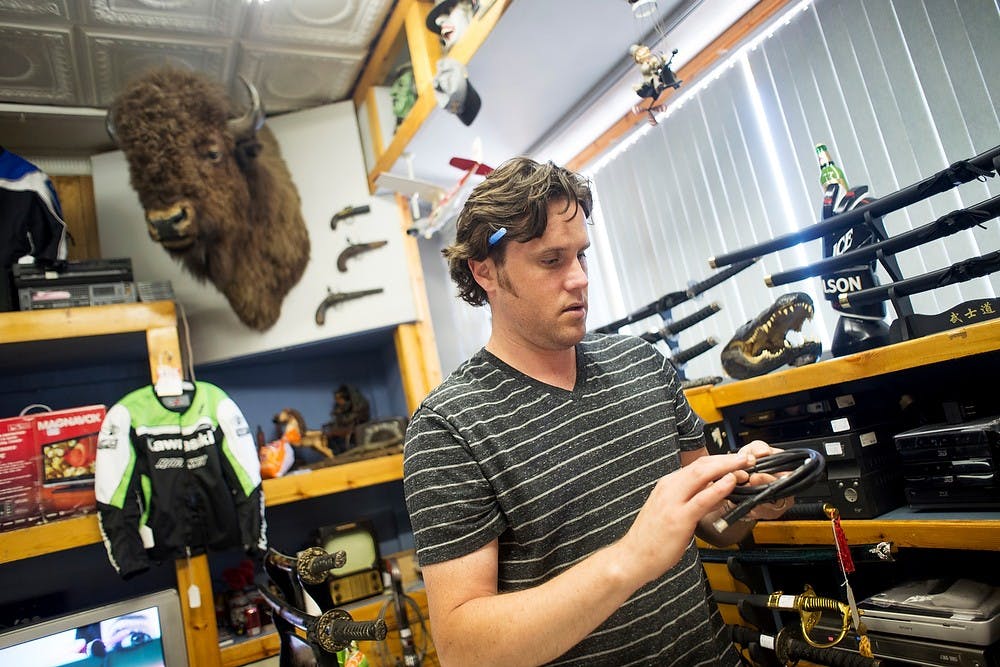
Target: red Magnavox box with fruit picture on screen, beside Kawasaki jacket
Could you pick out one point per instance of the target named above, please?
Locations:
(66, 443)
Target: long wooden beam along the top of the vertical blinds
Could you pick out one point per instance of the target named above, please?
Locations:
(698, 65)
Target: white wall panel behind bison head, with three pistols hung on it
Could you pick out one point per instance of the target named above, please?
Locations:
(323, 151)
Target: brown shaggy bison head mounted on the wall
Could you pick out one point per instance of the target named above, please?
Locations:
(216, 191)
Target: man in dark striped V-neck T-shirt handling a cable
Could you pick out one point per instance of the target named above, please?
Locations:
(556, 479)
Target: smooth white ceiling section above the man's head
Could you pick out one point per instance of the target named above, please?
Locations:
(554, 74)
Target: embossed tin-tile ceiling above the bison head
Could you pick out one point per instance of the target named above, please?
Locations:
(63, 61)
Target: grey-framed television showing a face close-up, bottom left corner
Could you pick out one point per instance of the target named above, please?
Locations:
(143, 631)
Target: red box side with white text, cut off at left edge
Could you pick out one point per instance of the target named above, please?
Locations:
(19, 474)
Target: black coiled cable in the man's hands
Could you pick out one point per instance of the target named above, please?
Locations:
(804, 468)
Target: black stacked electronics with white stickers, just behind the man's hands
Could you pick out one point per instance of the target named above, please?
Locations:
(863, 478)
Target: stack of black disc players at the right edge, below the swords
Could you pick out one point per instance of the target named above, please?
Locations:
(952, 466)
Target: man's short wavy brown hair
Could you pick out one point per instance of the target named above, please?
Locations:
(514, 196)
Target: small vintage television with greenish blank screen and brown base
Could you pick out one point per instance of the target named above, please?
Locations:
(361, 576)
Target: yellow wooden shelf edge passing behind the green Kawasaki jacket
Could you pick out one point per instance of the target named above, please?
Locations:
(83, 530)
